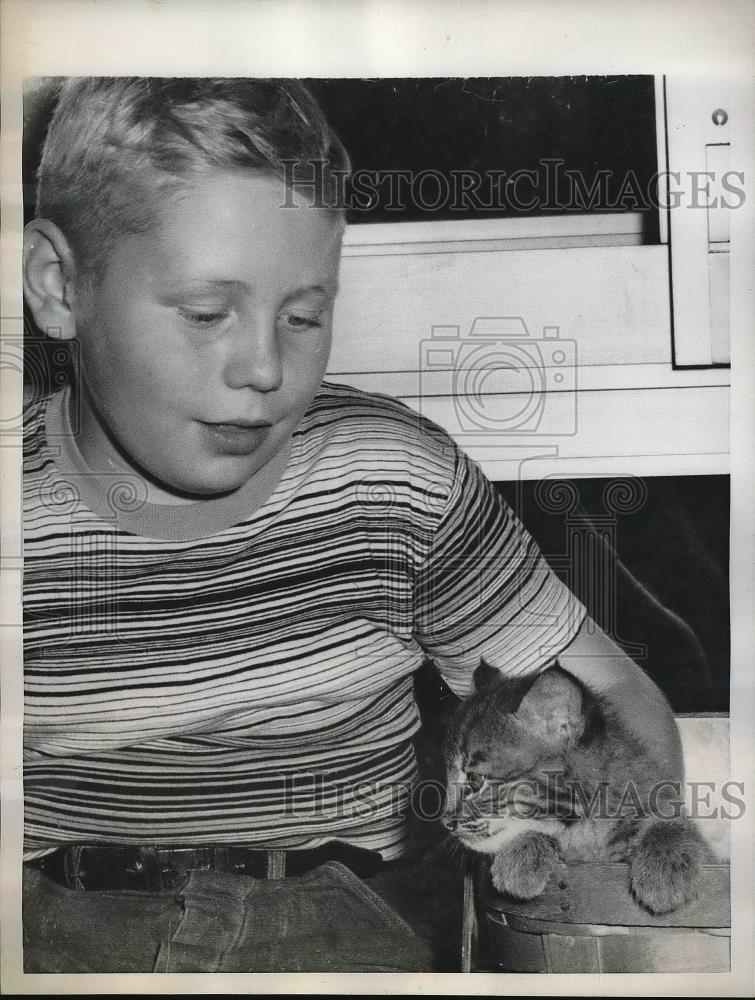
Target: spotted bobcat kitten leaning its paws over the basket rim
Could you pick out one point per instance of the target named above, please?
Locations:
(541, 771)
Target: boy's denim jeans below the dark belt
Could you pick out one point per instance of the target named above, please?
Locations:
(327, 920)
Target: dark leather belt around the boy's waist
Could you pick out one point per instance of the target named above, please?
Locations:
(147, 868)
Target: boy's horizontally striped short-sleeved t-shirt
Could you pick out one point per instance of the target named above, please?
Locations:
(239, 670)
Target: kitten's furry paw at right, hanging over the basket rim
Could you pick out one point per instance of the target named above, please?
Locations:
(665, 871)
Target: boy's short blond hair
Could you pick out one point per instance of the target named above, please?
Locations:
(114, 140)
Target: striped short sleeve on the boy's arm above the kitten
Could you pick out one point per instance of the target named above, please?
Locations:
(485, 591)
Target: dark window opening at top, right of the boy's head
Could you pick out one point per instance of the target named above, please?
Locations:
(588, 143)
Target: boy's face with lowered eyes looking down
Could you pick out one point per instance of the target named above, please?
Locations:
(208, 336)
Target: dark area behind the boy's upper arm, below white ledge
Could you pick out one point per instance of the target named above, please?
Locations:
(671, 576)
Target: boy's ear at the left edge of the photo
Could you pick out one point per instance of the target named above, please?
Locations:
(49, 272)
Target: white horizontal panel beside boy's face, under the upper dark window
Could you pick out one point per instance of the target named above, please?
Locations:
(612, 301)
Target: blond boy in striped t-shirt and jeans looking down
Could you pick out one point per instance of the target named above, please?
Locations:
(232, 569)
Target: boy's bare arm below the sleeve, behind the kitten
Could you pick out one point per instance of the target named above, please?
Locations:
(595, 660)
